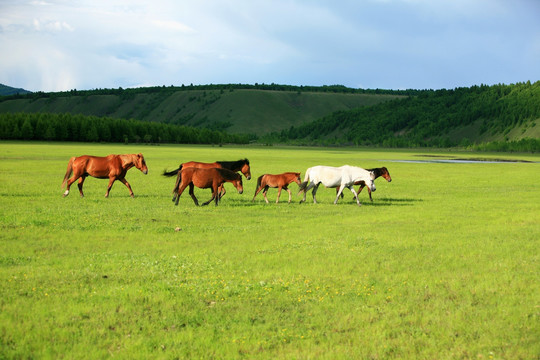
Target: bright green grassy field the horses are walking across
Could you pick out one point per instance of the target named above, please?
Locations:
(444, 264)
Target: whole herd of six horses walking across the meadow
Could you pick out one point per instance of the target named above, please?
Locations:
(214, 175)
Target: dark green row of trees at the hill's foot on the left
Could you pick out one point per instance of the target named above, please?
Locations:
(70, 127)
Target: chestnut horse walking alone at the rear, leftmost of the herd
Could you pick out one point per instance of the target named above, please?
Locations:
(112, 167)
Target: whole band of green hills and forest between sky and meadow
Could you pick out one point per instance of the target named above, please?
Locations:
(499, 117)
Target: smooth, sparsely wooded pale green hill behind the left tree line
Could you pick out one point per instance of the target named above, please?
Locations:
(252, 109)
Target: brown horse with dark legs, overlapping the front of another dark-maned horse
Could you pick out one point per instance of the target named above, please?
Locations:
(204, 179)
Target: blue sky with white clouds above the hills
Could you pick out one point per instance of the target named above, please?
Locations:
(60, 45)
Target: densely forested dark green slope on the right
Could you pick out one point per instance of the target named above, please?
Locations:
(440, 118)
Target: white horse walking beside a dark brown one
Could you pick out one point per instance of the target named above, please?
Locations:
(332, 177)
